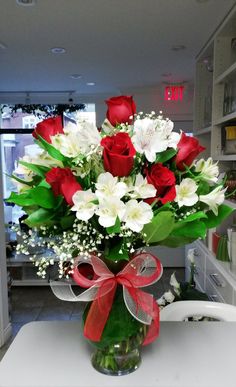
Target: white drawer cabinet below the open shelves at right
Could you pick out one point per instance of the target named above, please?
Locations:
(212, 276)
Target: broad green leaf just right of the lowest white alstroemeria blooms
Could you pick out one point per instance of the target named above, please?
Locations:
(159, 228)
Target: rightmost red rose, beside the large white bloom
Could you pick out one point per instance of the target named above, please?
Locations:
(188, 149)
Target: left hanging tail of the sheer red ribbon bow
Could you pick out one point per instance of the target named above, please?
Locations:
(98, 314)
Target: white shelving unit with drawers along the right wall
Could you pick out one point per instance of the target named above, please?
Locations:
(215, 108)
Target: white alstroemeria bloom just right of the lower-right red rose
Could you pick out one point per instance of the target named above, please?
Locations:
(186, 193)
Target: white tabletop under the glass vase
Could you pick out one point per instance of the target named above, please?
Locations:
(187, 354)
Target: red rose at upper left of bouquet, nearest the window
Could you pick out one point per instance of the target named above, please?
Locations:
(48, 127)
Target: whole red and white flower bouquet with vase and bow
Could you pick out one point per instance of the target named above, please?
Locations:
(96, 199)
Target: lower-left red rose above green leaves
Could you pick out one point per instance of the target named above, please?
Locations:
(63, 182)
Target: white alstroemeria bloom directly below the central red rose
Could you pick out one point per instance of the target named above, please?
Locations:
(108, 186)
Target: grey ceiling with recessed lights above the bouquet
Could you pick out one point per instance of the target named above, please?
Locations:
(117, 44)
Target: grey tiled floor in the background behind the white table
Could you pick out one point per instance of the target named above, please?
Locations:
(39, 303)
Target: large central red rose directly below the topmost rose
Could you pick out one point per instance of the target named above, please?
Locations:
(118, 154)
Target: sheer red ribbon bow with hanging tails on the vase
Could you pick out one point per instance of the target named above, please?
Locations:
(144, 269)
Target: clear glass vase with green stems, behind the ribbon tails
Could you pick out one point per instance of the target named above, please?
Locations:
(119, 350)
